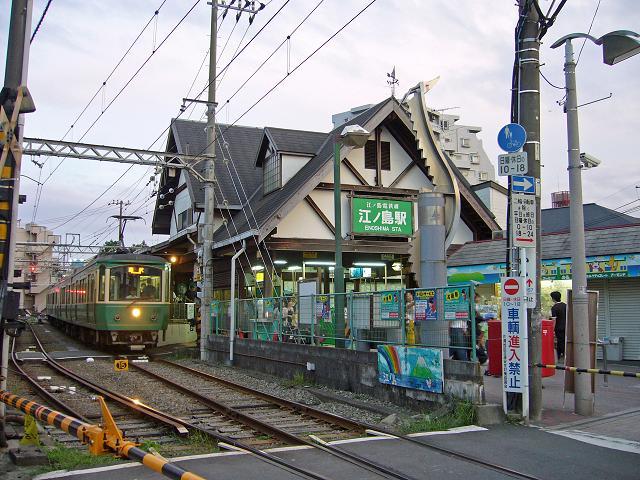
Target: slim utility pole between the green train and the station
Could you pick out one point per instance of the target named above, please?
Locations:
(209, 194)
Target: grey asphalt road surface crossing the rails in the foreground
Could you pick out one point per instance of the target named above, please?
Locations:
(528, 450)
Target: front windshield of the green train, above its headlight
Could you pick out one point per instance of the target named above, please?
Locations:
(135, 282)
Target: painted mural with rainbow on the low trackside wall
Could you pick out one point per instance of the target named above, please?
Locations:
(411, 367)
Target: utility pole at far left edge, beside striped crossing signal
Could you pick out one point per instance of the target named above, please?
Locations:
(15, 77)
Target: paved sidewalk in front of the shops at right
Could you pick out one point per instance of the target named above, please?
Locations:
(617, 405)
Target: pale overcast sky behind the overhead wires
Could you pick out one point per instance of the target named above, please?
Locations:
(468, 43)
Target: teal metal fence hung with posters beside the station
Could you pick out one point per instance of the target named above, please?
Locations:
(440, 317)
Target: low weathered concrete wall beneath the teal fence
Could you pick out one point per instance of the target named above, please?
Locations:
(346, 370)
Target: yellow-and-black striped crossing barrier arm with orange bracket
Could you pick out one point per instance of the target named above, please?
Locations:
(107, 439)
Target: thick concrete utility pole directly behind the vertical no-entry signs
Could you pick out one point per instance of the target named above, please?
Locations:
(529, 117)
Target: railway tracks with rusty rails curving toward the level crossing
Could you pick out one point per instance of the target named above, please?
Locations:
(243, 418)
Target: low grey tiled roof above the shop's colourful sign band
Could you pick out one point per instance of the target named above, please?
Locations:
(602, 241)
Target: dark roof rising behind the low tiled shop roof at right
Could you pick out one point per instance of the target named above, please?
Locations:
(595, 216)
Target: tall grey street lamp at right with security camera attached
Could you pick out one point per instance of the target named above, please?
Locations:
(616, 46)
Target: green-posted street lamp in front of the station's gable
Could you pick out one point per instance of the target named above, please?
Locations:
(353, 136)
